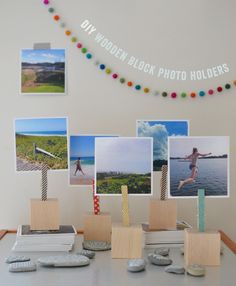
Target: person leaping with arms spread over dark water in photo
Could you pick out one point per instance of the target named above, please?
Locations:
(193, 167)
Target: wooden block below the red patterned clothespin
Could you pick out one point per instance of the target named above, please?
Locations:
(97, 227)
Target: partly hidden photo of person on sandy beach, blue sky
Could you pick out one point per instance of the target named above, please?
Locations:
(81, 158)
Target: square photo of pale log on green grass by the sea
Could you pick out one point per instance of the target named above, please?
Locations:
(41, 141)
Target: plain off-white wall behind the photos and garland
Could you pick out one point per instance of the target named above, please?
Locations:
(175, 34)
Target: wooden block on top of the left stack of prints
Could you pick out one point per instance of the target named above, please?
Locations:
(44, 215)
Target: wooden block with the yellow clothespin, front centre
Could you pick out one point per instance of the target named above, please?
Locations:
(126, 242)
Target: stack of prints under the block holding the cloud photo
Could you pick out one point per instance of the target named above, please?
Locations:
(165, 237)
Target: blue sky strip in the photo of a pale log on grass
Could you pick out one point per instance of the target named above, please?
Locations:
(40, 124)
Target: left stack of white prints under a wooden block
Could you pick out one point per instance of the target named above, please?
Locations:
(46, 240)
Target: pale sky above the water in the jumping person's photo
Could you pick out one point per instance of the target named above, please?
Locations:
(181, 147)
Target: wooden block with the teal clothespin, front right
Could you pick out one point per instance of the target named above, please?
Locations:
(202, 247)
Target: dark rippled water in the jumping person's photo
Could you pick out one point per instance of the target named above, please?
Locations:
(212, 176)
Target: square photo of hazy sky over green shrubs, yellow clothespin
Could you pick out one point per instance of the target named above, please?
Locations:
(123, 161)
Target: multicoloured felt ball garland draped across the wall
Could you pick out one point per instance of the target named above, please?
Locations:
(123, 80)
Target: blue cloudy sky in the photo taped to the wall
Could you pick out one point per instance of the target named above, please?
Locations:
(43, 56)
